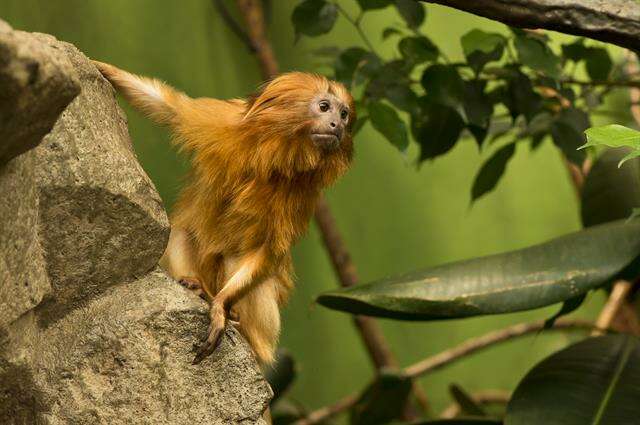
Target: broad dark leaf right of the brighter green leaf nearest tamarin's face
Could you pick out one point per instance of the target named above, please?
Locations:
(436, 128)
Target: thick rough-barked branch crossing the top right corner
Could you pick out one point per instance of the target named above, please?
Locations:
(613, 21)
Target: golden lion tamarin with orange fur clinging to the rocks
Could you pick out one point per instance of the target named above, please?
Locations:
(258, 166)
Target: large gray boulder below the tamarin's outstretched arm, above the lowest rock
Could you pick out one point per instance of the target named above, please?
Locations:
(87, 216)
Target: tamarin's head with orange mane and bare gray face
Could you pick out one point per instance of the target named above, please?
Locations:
(302, 122)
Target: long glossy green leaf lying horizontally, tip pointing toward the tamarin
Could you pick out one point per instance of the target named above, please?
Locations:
(529, 278)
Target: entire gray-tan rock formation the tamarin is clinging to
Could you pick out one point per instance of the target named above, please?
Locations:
(90, 331)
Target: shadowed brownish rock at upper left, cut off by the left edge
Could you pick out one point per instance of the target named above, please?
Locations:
(36, 84)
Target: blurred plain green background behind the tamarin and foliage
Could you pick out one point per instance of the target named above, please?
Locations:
(395, 216)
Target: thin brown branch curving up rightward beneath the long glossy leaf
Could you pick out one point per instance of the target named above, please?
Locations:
(449, 356)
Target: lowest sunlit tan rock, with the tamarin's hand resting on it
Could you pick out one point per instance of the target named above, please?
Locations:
(124, 358)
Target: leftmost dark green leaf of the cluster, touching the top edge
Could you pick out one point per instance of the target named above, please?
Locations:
(314, 17)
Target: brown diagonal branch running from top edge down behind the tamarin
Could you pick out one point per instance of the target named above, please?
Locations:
(372, 336)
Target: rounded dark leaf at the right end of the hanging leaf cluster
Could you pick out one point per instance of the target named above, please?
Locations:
(568, 130)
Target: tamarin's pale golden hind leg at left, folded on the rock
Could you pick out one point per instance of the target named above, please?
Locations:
(179, 261)
